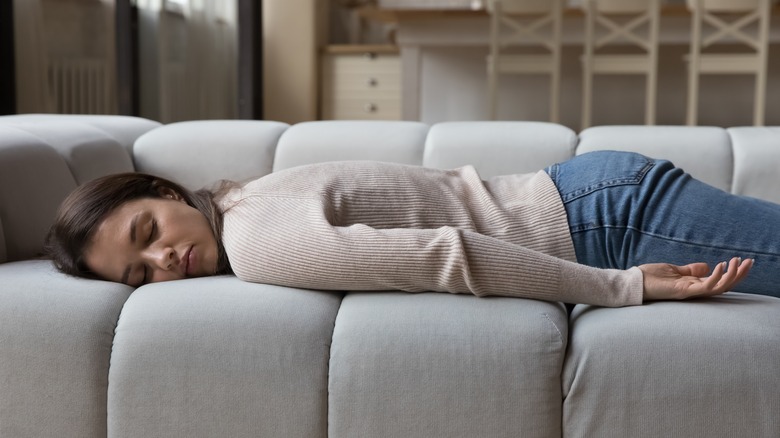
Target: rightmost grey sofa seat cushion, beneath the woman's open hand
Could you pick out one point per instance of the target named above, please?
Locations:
(700, 368)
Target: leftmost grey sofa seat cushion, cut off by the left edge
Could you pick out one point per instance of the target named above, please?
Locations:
(55, 343)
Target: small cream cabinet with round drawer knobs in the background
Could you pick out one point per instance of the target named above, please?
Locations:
(361, 82)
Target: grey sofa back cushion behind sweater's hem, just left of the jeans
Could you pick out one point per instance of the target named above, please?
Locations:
(498, 148)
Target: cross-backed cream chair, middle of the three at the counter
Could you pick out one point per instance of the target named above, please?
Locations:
(609, 22)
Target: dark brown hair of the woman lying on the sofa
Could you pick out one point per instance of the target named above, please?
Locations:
(85, 208)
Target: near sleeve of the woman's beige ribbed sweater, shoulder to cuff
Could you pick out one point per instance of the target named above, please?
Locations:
(297, 251)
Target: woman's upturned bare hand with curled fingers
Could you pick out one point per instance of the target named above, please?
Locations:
(663, 281)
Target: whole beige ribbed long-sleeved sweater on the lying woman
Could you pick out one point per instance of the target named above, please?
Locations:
(380, 226)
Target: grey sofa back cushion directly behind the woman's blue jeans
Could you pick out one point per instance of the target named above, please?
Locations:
(704, 152)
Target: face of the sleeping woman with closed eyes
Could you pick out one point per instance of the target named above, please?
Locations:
(152, 239)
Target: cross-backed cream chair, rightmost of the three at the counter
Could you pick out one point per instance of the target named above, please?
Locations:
(730, 21)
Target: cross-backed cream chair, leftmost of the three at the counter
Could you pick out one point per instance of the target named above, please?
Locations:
(525, 23)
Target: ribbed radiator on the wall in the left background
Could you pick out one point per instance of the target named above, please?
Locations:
(80, 86)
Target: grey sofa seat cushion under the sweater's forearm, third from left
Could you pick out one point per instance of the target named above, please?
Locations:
(433, 364)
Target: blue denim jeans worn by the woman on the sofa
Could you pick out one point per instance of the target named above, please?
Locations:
(625, 209)
